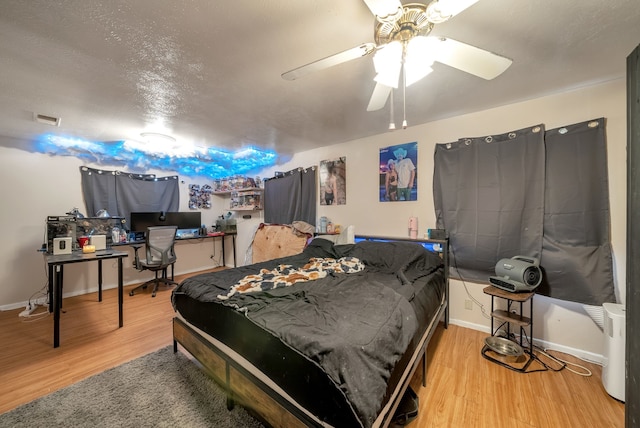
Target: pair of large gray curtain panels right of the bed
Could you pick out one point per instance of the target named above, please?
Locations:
(532, 193)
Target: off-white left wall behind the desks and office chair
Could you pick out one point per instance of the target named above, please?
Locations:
(35, 186)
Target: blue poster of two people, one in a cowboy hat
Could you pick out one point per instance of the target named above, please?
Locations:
(398, 173)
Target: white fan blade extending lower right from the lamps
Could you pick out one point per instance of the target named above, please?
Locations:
(470, 59)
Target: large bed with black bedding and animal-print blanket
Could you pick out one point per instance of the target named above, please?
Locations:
(327, 337)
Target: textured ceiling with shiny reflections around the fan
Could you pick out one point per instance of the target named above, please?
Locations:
(208, 72)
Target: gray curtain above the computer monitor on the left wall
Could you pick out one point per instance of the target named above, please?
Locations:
(123, 193)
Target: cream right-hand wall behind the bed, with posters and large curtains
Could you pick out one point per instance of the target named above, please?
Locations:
(563, 325)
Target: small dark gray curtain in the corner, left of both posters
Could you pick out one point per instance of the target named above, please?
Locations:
(291, 197)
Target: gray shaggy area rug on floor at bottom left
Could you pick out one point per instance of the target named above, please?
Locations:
(161, 389)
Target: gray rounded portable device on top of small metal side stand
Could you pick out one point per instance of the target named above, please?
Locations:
(518, 273)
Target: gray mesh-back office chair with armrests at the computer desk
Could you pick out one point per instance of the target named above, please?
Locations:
(159, 256)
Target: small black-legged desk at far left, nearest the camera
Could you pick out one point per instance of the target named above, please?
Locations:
(56, 264)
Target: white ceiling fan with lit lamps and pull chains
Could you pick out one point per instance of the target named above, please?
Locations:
(403, 47)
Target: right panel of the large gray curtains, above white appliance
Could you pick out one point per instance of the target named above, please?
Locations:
(576, 251)
